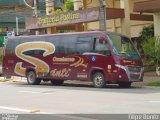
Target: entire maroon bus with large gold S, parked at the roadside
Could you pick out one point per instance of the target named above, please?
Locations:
(96, 56)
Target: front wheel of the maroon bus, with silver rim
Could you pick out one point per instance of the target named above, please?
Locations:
(99, 80)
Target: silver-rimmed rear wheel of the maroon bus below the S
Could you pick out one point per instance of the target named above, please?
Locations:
(31, 78)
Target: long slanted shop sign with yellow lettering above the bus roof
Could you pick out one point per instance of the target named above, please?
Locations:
(80, 16)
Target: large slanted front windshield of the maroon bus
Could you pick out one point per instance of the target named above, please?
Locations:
(122, 46)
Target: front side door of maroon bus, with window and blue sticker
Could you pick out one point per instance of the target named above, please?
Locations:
(103, 59)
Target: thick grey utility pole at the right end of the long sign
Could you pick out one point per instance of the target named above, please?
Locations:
(102, 15)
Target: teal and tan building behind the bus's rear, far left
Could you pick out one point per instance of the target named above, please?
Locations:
(9, 10)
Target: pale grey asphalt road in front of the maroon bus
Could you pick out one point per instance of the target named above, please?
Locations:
(77, 102)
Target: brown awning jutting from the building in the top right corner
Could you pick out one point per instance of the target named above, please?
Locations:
(149, 6)
